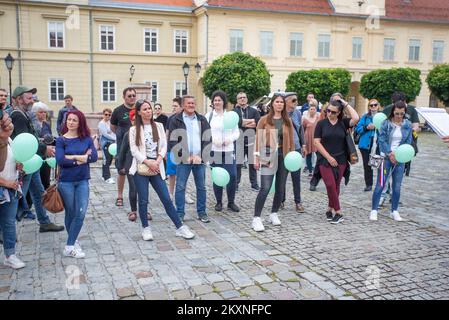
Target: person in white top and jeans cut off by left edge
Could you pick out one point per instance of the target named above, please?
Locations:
(9, 192)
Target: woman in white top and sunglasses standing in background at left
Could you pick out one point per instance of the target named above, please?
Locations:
(107, 137)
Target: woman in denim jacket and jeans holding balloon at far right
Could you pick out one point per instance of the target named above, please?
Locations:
(395, 131)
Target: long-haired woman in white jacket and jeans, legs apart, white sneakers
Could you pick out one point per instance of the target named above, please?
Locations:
(148, 144)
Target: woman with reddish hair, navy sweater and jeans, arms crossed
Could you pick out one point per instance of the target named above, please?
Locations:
(74, 151)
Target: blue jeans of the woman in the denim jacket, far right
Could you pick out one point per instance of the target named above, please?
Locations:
(397, 173)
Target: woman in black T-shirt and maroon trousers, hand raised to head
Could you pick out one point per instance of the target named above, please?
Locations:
(332, 155)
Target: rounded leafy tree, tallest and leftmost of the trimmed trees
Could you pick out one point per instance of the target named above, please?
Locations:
(237, 72)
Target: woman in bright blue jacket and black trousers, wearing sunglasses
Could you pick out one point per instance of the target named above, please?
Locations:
(365, 128)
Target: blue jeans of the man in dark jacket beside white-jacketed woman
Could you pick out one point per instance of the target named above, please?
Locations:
(182, 175)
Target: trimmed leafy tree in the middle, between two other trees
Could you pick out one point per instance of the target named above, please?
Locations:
(321, 82)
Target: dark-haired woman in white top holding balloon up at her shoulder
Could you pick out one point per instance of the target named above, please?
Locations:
(223, 150)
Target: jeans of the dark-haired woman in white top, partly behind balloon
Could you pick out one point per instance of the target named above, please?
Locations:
(222, 159)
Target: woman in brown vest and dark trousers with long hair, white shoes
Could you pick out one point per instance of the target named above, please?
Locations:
(274, 140)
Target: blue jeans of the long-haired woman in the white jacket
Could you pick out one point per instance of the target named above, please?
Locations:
(161, 189)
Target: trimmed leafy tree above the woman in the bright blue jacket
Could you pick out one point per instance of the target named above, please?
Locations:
(381, 84)
